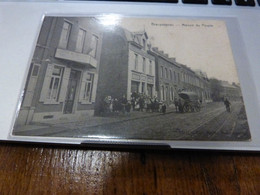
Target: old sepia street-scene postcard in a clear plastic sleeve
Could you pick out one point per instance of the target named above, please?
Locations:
(118, 77)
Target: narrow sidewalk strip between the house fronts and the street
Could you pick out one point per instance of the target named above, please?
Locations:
(91, 121)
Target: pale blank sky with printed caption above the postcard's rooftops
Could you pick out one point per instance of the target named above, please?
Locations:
(199, 44)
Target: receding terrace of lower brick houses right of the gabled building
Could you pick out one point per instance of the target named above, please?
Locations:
(173, 77)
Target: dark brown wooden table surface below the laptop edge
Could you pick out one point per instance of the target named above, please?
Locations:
(31, 169)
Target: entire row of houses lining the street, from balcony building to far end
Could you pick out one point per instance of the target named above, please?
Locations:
(77, 63)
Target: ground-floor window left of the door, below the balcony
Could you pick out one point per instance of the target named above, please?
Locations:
(55, 83)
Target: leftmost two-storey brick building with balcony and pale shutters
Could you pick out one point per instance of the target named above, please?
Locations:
(63, 75)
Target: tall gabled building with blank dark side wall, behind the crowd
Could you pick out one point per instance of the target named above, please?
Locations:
(126, 66)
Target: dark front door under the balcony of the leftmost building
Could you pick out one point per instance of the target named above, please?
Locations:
(71, 91)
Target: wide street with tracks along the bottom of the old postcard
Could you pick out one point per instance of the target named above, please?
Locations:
(211, 123)
